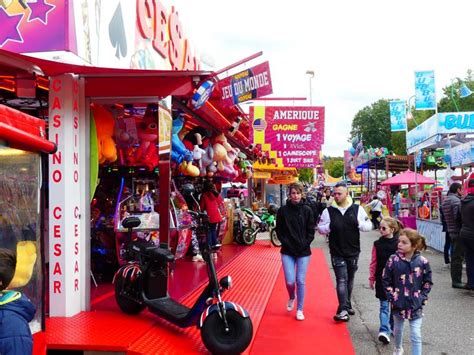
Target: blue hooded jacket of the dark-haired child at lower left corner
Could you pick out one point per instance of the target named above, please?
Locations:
(16, 311)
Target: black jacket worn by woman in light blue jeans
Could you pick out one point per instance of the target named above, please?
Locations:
(295, 229)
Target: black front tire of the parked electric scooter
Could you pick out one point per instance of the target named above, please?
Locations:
(235, 341)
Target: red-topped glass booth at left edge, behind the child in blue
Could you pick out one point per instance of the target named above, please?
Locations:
(23, 166)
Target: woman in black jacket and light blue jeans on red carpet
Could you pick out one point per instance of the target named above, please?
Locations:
(295, 229)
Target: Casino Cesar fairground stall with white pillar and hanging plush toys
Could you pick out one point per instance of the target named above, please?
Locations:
(114, 129)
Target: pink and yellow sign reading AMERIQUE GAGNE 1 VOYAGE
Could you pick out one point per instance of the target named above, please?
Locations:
(292, 135)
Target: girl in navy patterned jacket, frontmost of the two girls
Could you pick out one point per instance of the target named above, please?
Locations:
(407, 282)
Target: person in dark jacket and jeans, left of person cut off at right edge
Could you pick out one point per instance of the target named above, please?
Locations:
(450, 208)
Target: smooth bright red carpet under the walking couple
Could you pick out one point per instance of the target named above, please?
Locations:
(279, 331)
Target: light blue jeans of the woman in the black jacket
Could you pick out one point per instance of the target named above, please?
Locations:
(295, 275)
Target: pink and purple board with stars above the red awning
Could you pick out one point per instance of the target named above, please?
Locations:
(36, 26)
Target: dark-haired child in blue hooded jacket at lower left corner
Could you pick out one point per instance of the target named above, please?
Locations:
(16, 311)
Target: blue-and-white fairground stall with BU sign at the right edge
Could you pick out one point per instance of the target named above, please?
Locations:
(449, 134)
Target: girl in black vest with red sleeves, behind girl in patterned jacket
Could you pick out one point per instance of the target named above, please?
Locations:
(385, 246)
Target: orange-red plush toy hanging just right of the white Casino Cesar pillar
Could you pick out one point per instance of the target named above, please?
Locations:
(104, 122)
